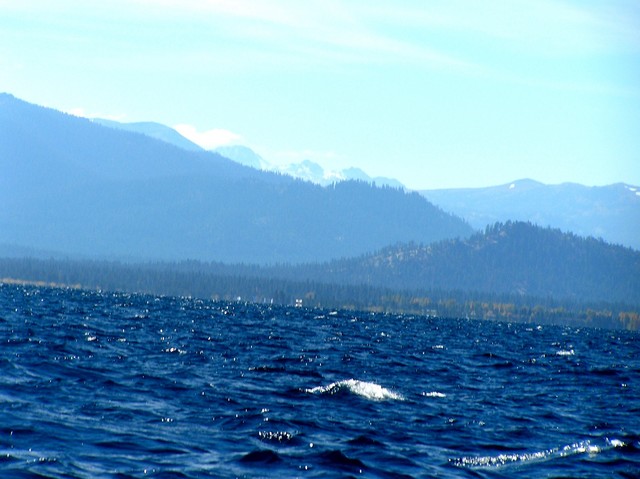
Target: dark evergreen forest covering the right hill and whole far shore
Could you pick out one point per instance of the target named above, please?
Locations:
(411, 287)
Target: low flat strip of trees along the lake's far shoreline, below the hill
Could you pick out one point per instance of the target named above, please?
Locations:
(217, 281)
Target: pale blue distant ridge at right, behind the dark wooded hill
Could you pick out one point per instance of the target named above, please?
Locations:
(610, 212)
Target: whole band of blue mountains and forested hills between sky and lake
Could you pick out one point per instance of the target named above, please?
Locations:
(95, 189)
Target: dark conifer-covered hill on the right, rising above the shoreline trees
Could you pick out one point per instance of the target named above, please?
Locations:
(510, 258)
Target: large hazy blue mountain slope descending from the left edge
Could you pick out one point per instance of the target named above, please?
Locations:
(76, 187)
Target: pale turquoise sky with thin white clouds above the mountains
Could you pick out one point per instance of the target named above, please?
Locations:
(434, 93)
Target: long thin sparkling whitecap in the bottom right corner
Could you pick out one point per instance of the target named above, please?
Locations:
(500, 460)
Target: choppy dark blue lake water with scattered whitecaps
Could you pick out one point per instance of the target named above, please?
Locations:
(96, 385)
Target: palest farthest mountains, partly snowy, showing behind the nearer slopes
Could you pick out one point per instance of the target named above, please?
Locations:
(610, 212)
